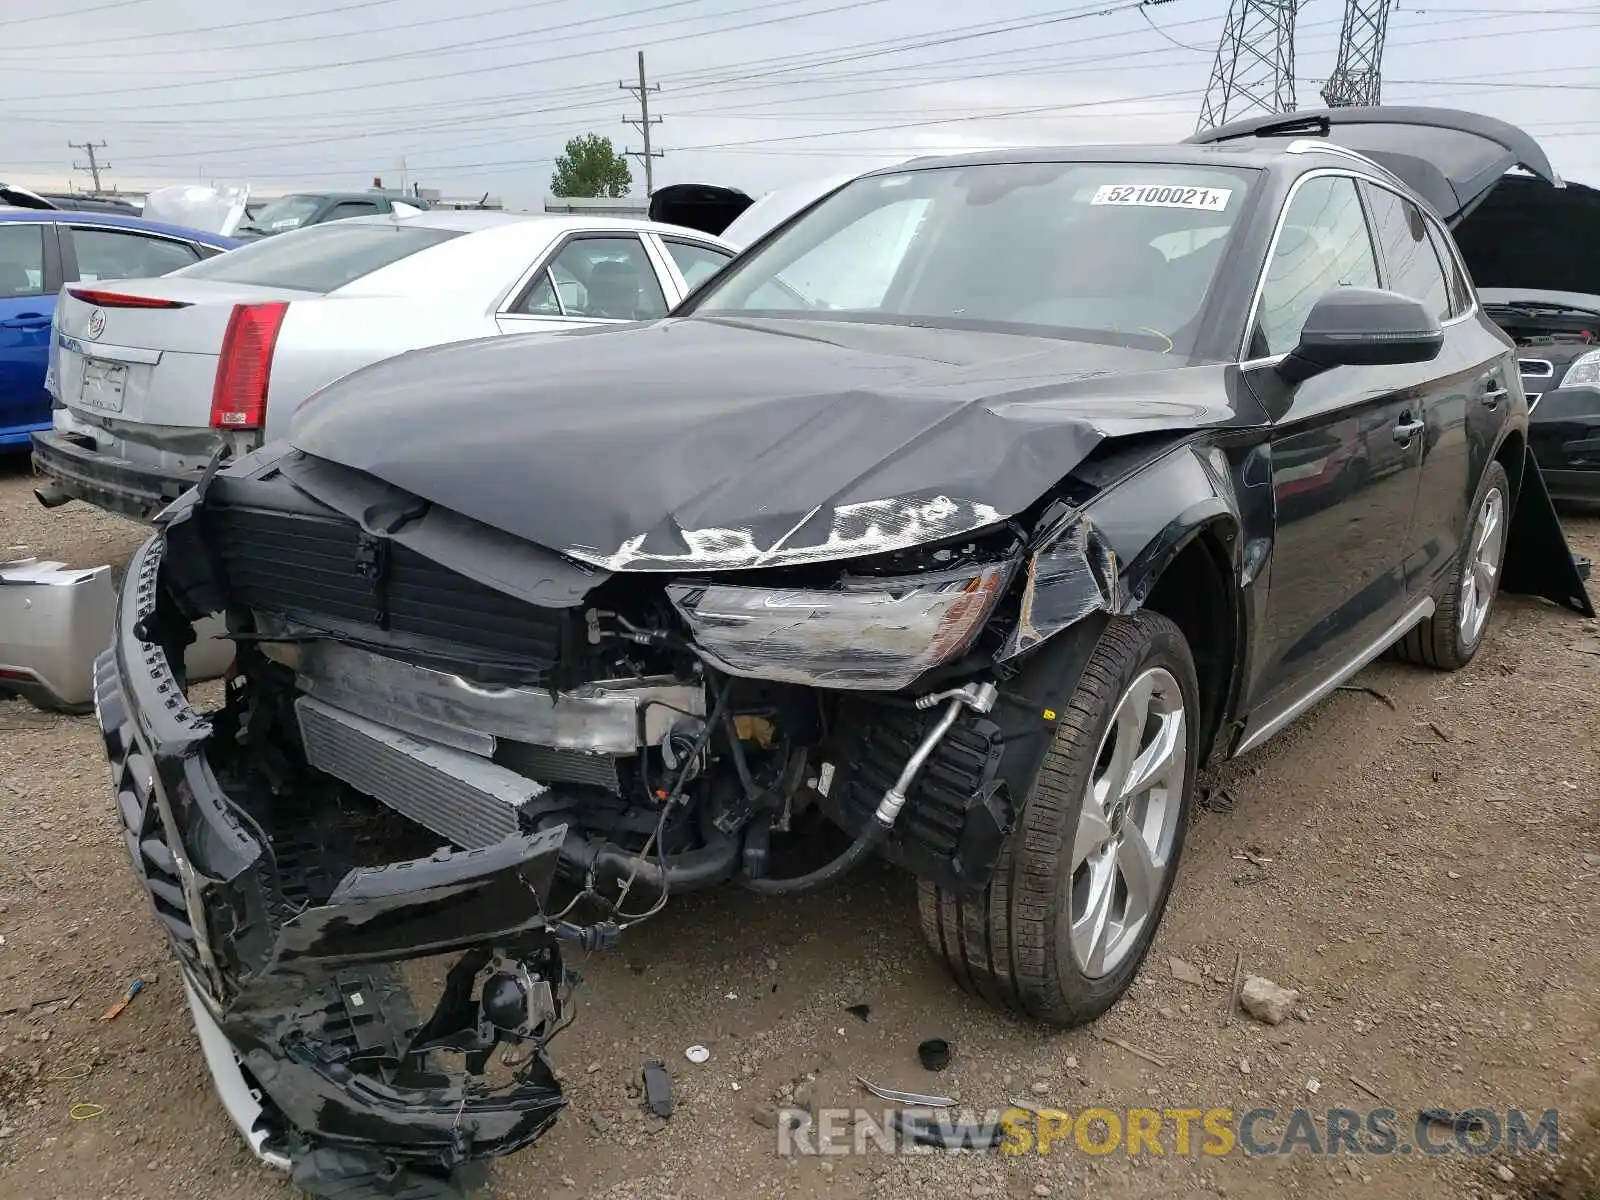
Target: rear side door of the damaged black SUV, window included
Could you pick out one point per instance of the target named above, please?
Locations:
(1465, 393)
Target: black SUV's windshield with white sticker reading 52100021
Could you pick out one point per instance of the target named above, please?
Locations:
(1102, 252)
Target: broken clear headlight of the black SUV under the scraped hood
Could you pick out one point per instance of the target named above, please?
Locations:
(871, 634)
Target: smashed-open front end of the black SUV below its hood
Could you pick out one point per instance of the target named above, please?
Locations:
(564, 772)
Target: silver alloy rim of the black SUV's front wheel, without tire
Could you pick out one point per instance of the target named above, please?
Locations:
(1129, 823)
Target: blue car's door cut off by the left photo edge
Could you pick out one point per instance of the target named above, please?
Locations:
(30, 281)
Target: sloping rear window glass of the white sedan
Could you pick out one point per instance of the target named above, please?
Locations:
(319, 258)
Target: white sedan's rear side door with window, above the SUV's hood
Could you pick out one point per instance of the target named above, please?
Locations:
(591, 279)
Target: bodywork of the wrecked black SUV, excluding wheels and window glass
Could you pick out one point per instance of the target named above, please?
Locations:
(634, 615)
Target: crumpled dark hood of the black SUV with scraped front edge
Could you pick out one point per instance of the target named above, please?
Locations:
(714, 444)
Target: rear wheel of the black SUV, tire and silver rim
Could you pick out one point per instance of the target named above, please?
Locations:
(1452, 636)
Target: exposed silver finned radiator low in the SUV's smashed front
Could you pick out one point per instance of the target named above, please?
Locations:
(458, 796)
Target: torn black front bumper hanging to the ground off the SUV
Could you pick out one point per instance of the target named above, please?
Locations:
(295, 982)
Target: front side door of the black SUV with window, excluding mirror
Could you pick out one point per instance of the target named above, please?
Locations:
(1345, 458)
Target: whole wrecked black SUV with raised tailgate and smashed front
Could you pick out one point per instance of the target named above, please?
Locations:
(959, 522)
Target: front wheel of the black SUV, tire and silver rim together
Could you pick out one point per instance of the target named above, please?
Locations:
(1014, 943)
